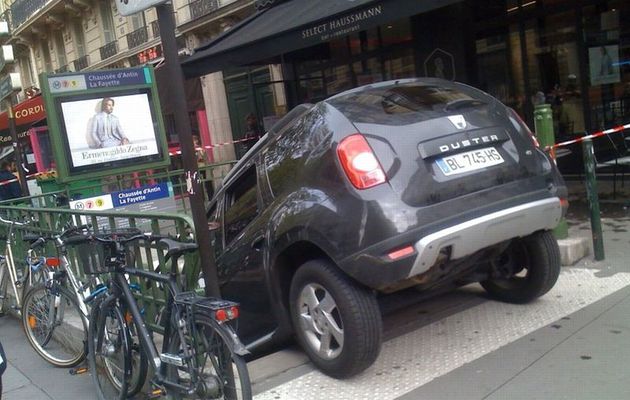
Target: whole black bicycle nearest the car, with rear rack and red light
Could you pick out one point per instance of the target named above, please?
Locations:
(201, 357)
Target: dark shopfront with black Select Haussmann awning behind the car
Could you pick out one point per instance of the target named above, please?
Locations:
(572, 54)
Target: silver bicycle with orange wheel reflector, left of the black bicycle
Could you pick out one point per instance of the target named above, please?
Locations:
(55, 316)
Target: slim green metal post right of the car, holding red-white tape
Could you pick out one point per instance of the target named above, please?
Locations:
(593, 199)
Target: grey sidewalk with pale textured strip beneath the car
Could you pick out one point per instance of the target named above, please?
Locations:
(574, 343)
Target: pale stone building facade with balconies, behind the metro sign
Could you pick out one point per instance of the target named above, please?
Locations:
(60, 36)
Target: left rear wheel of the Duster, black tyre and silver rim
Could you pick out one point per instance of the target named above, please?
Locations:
(351, 310)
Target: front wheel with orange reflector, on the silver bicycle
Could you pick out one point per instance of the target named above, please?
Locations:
(54, 325)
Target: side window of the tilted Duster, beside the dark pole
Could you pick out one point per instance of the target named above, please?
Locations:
(241, 204)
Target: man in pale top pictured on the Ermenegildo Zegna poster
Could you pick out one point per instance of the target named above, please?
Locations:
(104, 128)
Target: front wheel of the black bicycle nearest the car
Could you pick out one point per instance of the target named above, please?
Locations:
(109, 362)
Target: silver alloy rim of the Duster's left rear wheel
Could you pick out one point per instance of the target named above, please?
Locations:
(320, 321)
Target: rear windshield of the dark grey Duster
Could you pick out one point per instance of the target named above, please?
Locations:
(402, 104)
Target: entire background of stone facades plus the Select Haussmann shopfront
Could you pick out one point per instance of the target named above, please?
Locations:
(263, 57)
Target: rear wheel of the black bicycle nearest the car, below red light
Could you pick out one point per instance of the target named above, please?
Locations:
(221, 373)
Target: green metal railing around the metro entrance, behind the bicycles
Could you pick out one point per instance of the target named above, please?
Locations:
(48, 215)
